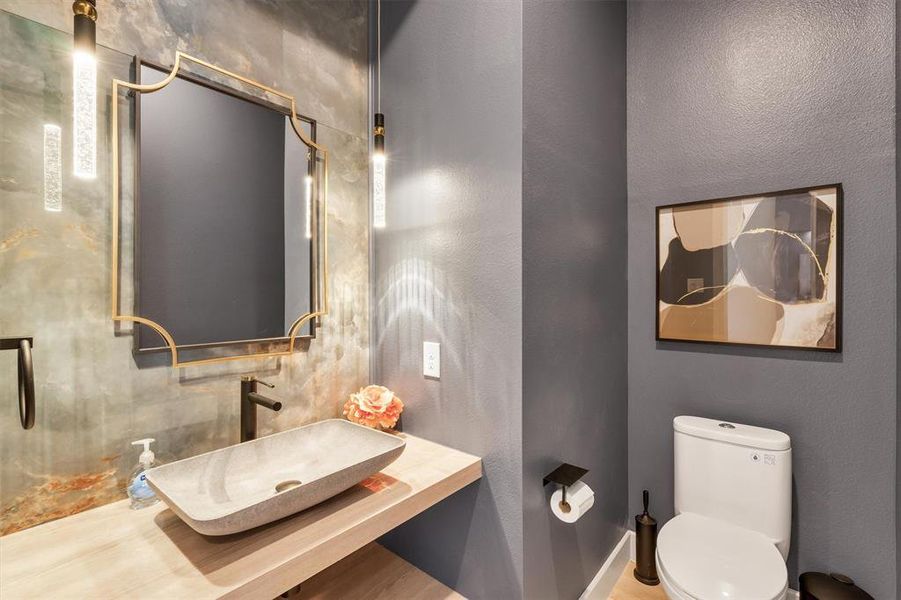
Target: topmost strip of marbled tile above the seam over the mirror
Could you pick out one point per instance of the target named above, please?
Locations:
(315, 49)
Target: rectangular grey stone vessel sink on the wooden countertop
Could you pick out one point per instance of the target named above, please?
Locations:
(263, 480)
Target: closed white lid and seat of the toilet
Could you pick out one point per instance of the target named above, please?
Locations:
(699, 558)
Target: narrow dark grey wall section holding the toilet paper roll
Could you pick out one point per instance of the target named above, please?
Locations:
(574, 284)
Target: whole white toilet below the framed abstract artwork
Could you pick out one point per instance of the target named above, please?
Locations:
(731, 533)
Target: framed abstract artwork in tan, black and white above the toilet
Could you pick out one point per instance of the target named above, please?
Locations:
(761, 270)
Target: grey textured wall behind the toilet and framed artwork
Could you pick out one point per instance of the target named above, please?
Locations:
(729, 98)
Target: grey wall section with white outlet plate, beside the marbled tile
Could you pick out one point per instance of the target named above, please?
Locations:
(448, 268)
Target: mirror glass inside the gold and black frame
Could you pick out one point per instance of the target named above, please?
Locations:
(224, 215)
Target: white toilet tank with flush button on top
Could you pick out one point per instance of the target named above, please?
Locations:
(736, 473)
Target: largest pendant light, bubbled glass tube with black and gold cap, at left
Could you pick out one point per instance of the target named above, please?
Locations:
(84, 89)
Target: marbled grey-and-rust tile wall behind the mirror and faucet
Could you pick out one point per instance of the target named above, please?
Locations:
(92, 399)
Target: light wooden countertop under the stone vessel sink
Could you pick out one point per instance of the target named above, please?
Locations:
(113, 551)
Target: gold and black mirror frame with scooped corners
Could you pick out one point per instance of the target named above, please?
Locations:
(316, 225)
